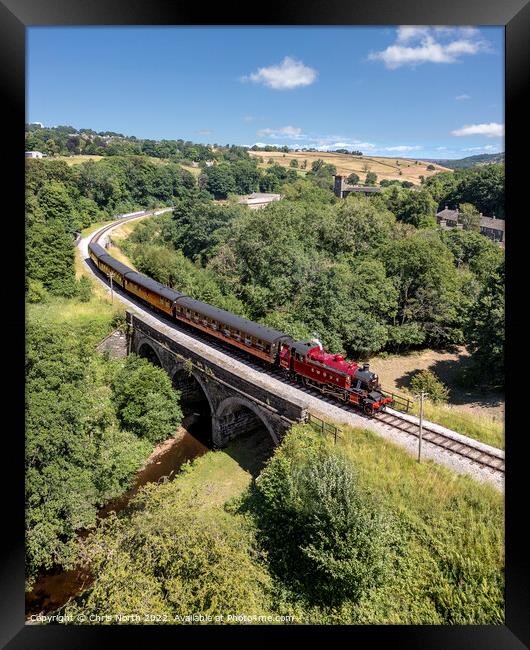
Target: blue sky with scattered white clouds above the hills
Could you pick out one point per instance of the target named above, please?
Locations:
(412, 91)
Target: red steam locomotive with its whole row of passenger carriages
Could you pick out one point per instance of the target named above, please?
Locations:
(306, 361)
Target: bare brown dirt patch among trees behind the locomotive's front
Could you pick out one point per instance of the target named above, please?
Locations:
(396, 372)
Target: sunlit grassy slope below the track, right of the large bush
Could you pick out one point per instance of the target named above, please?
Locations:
(452, 567)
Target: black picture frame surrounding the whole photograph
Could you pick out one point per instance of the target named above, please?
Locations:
(15, 17)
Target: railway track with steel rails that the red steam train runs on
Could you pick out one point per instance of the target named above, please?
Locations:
(480, 455)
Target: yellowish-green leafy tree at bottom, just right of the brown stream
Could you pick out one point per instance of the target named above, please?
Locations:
(171, 559)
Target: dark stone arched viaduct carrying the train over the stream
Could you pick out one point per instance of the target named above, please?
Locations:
(234, 403)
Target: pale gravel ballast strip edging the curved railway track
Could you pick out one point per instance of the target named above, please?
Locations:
(326, 408)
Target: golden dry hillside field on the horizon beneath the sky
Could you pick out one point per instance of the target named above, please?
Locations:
(384, 167)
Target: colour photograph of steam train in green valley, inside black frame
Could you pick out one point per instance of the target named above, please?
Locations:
(264, 325)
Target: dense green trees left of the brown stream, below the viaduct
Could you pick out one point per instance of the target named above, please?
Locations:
(83, 443)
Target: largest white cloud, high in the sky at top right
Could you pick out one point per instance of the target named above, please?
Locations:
(416, 45)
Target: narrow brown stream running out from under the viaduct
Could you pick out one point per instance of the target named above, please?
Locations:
(53, 588)
